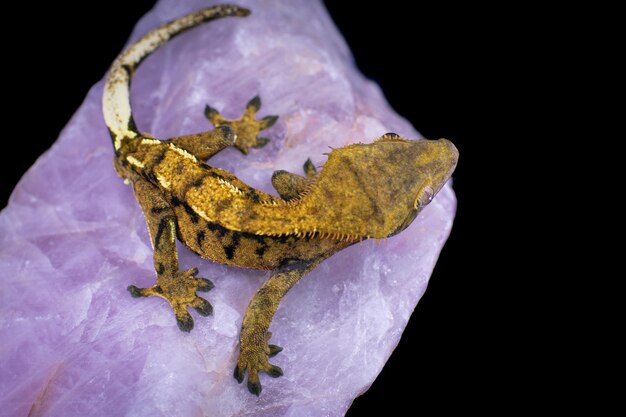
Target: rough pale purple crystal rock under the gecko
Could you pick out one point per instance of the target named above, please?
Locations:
(75, 343)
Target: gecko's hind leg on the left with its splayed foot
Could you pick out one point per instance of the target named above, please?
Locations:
(177, 287)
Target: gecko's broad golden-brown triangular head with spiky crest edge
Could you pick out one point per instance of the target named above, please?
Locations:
(388, 182)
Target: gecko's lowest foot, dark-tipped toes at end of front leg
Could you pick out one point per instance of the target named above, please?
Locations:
(254, 358)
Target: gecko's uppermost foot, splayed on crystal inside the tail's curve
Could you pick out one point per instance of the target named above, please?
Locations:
(247, 127)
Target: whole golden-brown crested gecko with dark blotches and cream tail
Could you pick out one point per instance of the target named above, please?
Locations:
(363, 191)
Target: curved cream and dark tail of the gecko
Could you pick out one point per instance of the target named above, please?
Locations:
(116, 98)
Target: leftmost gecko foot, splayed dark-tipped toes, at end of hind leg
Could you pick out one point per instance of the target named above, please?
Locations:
(180, 292)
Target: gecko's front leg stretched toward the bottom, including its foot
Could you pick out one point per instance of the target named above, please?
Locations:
(255, 351)
